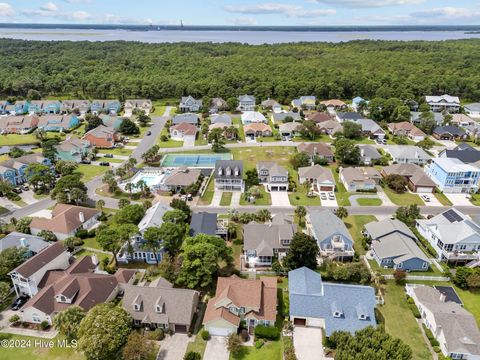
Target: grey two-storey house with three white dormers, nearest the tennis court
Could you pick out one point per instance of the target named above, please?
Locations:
(229, 175)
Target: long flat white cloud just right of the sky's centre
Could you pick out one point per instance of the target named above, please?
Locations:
(278, 8)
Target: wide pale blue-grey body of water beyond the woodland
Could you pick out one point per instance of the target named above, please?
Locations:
(253, 37)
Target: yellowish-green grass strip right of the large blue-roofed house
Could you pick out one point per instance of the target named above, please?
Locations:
(400, 322)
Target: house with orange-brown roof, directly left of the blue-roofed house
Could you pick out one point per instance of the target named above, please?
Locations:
(237, 300)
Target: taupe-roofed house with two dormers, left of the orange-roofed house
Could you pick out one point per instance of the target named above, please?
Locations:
(160, 305)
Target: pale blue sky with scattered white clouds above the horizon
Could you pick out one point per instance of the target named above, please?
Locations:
(243, 12)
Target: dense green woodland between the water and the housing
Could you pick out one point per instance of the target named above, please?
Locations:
(405, 70)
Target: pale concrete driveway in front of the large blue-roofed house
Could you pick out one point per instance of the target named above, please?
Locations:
(308, 343)
